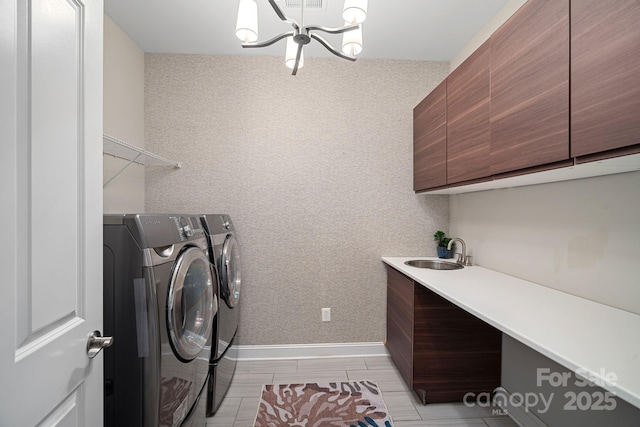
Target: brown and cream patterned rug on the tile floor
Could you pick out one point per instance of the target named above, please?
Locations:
(339, 404)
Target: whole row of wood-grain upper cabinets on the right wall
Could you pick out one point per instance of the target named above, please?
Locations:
(556, 85)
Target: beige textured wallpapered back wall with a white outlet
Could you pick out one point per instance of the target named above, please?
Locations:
(315, 170)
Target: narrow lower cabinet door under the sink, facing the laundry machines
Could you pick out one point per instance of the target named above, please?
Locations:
(400, 322)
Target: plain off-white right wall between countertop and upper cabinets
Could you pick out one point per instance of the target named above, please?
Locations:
(580, 236)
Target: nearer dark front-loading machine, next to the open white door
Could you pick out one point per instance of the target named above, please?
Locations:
(159, 305)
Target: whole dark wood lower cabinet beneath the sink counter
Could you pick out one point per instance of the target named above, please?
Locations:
(442, 351)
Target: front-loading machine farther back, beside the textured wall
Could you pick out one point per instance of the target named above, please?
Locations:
(225, 255)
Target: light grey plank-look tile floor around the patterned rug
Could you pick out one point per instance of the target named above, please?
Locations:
(240, 406)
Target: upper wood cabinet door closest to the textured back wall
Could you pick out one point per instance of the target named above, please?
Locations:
(430, 140)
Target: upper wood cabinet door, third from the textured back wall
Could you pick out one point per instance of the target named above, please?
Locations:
(530, 87)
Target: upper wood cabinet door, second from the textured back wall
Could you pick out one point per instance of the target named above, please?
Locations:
(468, 110)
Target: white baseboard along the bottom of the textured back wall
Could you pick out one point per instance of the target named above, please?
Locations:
(308, 351)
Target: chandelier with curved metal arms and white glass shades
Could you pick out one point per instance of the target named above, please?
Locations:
(354, 13)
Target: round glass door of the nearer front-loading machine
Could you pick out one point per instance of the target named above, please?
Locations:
(191, 304)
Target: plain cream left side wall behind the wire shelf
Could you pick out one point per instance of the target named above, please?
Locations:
(123, 117)
